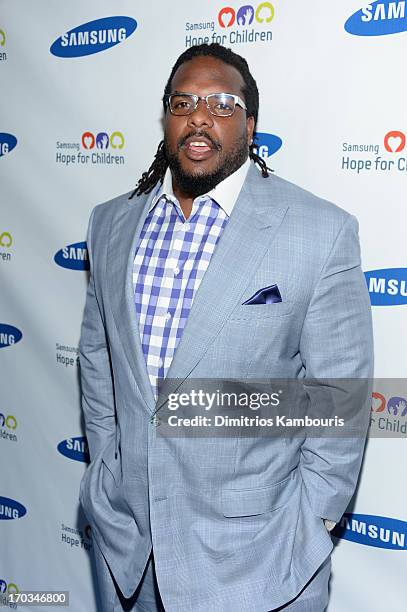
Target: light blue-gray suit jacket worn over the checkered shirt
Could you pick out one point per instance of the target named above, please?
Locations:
(236, 523)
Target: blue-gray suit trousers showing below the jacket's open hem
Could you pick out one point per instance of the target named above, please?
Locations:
(313, 597)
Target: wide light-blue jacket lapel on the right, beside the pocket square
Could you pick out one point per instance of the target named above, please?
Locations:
(253, 223)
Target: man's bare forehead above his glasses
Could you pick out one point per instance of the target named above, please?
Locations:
(205, 75)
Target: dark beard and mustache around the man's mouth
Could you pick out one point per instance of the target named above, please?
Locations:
(196, 184)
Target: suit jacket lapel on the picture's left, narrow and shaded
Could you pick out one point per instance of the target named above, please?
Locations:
(124, 235)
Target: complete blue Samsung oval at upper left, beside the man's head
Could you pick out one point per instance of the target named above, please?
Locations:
(94, 36)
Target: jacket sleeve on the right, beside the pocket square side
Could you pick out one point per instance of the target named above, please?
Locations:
(337, 351)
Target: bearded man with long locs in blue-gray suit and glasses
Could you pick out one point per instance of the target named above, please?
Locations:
(212, 523)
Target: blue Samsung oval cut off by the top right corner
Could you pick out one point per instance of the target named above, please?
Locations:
(378, 19)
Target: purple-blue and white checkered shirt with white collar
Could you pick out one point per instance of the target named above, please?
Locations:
(170, 262)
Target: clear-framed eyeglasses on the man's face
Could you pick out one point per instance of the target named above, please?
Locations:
(220, 104)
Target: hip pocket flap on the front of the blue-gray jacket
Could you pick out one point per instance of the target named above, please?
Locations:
(254, 501)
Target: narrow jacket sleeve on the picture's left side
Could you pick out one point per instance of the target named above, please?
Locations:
(95, 368)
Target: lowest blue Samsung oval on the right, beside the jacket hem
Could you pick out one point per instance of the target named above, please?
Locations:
(370, 530)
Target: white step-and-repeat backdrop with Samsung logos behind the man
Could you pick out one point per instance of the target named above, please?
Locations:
(80, 97)
